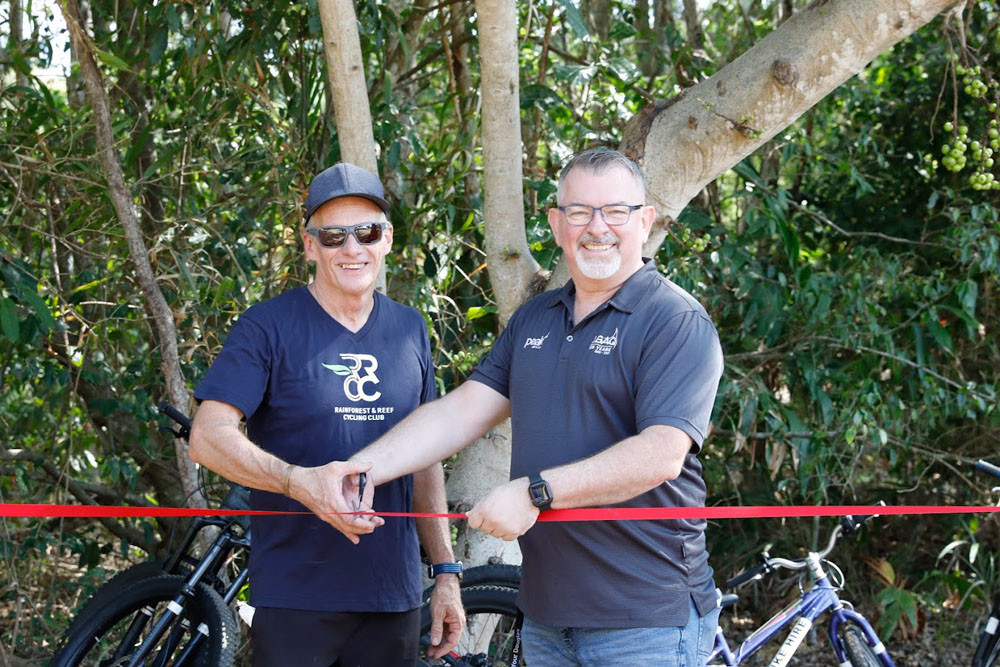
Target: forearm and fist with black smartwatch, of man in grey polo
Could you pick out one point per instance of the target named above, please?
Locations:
(620, 472)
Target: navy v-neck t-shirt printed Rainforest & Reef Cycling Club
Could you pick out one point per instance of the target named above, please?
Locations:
(313, 392)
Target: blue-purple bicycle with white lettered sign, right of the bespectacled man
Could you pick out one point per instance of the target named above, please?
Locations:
(853, 638)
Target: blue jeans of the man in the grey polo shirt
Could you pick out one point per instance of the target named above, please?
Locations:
(687, 646)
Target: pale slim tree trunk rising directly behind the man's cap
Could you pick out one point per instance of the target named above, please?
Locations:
(346, 74)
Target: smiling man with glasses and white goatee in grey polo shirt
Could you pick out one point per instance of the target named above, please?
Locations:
(609, 383)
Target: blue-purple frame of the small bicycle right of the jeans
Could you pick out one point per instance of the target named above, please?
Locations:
(802, 614)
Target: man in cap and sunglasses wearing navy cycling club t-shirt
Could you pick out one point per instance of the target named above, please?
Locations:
(318, 372)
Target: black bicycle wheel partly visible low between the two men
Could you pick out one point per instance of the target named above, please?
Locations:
(488, 638)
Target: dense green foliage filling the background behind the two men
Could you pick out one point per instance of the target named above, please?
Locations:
(853, 281)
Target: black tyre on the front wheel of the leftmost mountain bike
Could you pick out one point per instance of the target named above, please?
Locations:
(99, 636)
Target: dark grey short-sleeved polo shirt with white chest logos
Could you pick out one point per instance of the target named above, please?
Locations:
(649, 355)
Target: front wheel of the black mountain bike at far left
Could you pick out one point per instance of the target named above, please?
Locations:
(203, 634)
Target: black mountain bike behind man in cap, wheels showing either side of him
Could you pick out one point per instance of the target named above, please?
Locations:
(178, 611)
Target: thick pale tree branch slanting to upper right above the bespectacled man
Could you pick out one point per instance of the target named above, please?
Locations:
(771, 84)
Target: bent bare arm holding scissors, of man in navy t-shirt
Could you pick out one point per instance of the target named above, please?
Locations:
(330, 490)
